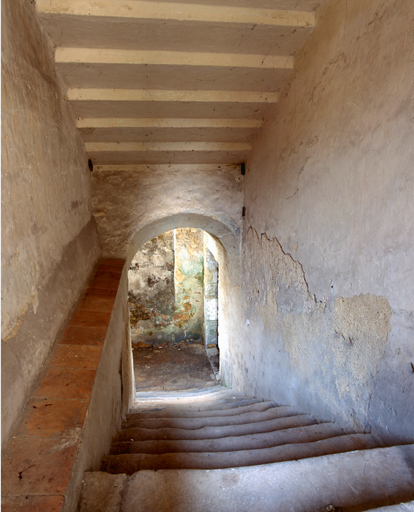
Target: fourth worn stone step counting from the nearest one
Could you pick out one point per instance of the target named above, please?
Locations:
(215, 432)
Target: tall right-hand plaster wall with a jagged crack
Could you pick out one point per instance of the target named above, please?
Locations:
(328, 297)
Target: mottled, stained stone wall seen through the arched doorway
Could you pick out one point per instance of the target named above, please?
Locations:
(166, 289)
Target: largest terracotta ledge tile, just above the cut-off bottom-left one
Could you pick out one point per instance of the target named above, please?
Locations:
(37, 466)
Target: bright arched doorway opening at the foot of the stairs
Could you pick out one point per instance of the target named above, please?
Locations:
(173, 311)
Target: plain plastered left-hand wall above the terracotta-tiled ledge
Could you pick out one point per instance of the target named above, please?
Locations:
(49, 241)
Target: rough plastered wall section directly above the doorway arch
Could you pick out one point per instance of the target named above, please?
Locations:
(127, 201)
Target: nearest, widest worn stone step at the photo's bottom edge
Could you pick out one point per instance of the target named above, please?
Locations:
(347, 482)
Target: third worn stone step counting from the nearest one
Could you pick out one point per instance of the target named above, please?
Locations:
(306, 434)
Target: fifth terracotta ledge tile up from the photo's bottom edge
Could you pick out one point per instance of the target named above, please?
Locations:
(77, 356)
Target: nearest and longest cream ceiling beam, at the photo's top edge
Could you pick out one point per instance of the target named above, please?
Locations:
(139, 9)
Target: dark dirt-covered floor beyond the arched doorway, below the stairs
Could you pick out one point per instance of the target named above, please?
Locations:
(172, 367)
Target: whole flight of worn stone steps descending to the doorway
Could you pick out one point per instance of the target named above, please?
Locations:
(216, 450)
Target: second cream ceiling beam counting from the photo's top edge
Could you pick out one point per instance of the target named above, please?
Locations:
(167, 58)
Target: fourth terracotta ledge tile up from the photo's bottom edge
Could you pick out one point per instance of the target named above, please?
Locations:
(62, 383)
